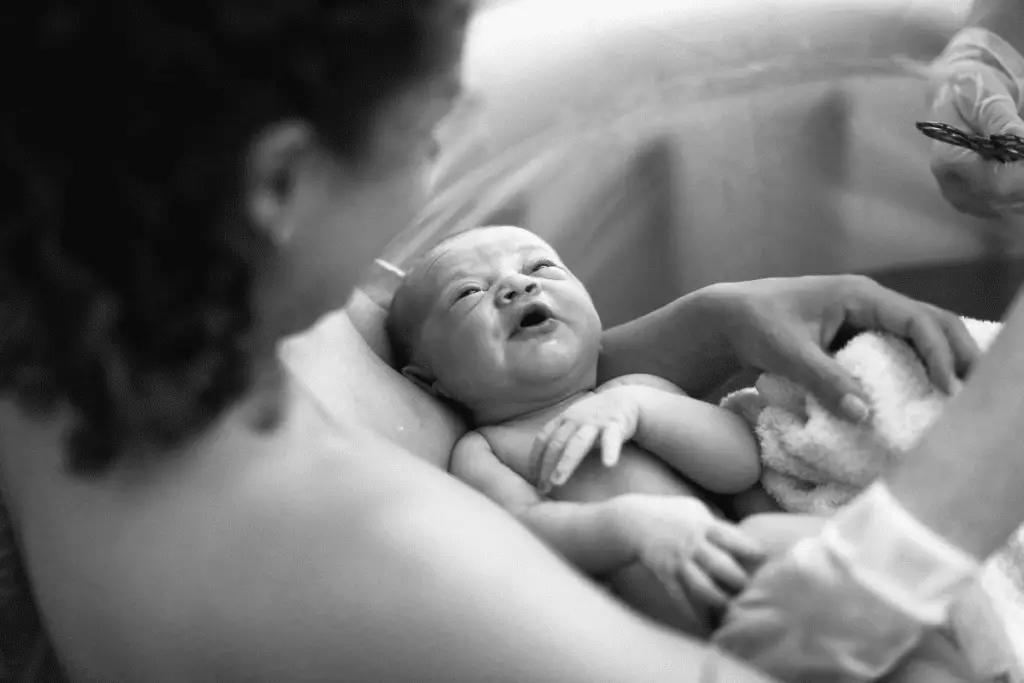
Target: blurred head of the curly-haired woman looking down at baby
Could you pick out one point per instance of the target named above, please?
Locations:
(188, 183)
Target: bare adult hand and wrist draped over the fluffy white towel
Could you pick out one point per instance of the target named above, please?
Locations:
(786, 327)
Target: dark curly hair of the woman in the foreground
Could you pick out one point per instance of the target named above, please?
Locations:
(126, 267)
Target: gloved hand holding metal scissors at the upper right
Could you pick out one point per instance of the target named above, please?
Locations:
(978, 87)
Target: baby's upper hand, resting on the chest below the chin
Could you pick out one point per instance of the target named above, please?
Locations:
(610, 417)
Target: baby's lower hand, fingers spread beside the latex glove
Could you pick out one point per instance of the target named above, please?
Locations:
(700, 560)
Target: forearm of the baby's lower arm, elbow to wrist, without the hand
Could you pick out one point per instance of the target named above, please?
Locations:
(588, 535)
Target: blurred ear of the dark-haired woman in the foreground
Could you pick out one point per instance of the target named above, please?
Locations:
(273, 167)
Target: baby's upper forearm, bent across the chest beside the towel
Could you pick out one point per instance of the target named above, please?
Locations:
(713, 448)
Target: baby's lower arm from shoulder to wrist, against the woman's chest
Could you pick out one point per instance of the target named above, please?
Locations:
(589, 536)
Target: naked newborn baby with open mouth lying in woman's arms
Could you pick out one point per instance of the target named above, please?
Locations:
(494, 322)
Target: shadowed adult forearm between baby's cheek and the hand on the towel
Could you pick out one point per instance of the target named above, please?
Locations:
(676, 343)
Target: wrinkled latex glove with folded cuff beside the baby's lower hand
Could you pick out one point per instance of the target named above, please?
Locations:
(848, 605)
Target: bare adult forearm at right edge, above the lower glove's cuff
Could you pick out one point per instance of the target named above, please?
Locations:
(980, 441)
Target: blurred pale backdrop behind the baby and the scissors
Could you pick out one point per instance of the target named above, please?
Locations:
(666, 145)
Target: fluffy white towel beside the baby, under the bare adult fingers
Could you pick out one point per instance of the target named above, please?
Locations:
(816, 462)
